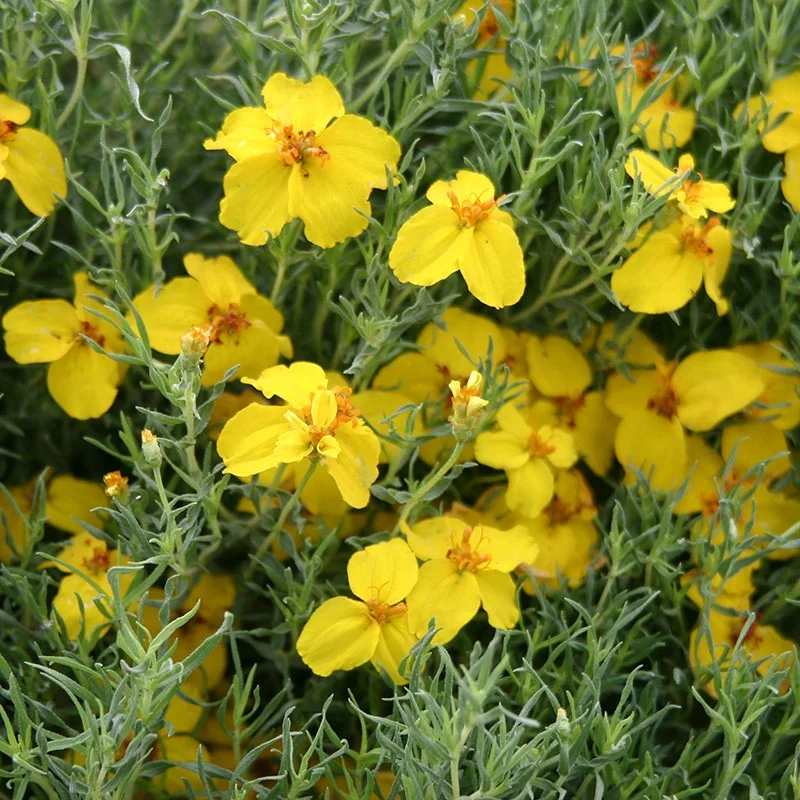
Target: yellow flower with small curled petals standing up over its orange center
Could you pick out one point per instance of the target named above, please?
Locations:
(318, 423)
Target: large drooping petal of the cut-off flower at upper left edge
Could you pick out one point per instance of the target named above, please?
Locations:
(35, 168)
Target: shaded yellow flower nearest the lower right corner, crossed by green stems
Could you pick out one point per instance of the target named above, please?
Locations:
(729, 642)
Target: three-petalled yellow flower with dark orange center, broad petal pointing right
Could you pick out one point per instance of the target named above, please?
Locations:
(655, 405)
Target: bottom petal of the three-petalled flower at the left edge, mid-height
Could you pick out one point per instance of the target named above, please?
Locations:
(83, 382)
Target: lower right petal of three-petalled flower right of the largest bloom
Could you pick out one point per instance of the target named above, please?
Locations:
(492, 264)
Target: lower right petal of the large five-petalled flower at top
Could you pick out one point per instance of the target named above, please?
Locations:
(331, 198)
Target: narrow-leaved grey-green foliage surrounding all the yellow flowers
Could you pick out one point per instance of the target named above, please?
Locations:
(592, 695)
